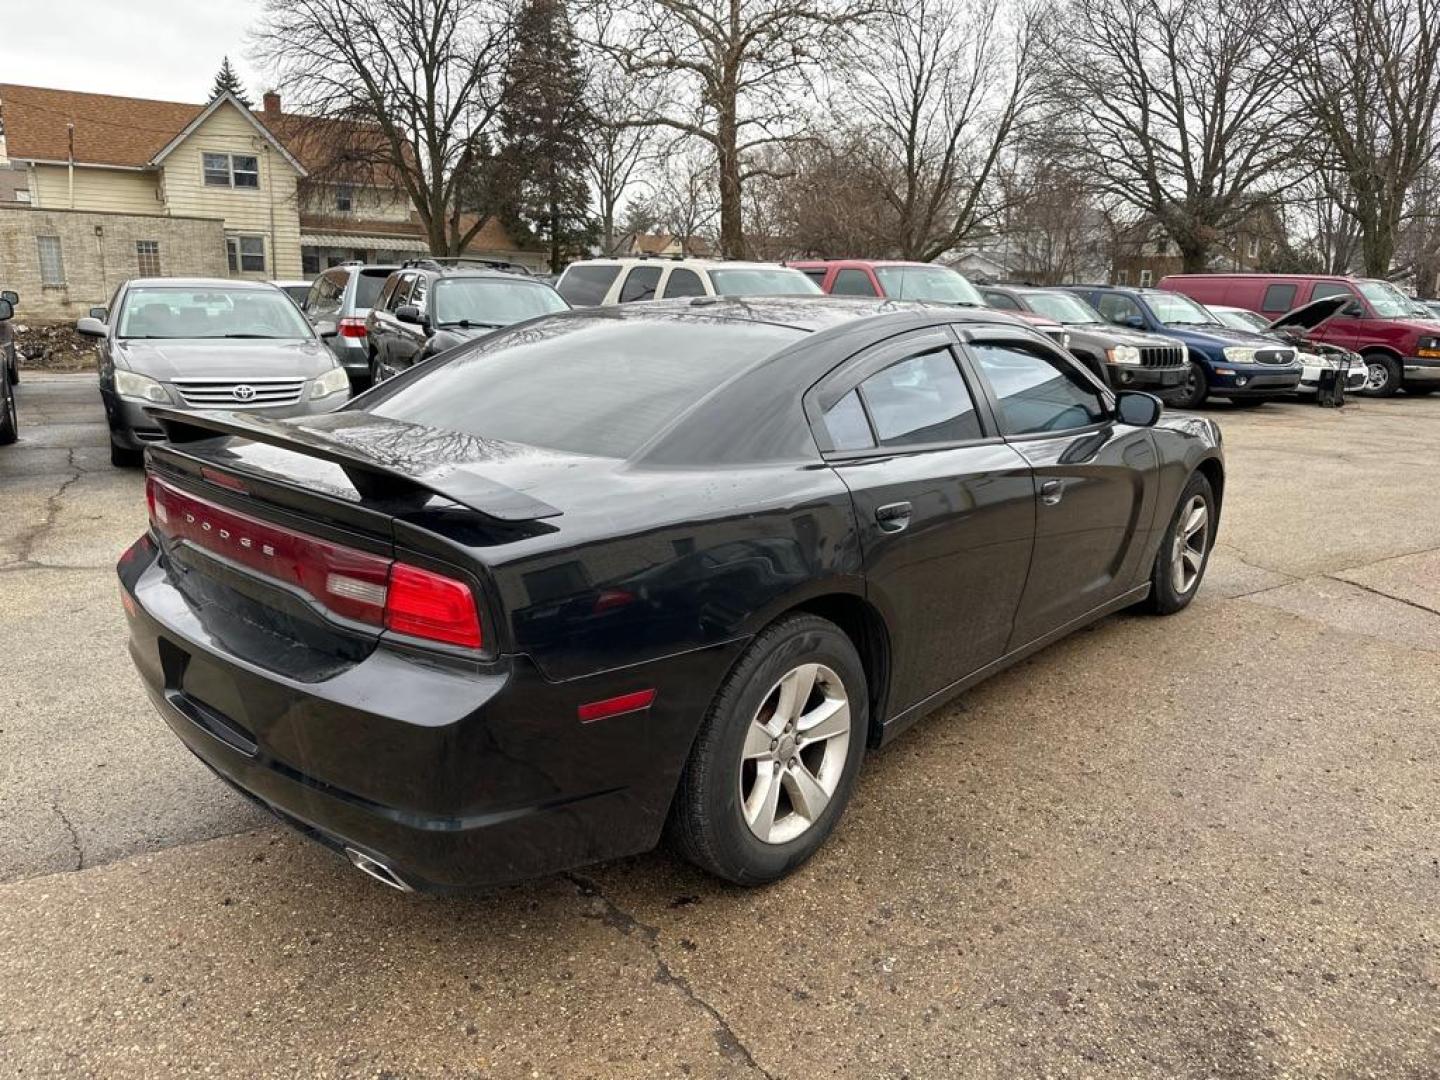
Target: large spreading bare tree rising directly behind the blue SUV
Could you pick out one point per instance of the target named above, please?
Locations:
(1176, 107)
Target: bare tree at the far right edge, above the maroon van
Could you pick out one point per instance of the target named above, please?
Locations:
(1369, 74)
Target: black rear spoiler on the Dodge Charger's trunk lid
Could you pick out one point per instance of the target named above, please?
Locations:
(371, 477)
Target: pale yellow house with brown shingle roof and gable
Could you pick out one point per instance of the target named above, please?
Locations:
(130, 156)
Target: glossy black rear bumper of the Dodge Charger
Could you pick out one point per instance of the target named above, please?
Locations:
(453, 775)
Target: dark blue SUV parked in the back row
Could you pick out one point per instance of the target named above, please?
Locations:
(1223, 362)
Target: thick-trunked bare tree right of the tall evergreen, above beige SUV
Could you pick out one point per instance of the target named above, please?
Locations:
(732, 74)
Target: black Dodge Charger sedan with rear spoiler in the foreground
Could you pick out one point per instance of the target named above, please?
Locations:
(663, 570)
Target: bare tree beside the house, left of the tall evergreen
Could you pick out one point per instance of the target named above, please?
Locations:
(404, 90)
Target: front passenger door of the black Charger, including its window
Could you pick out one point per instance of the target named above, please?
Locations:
(1095, 477)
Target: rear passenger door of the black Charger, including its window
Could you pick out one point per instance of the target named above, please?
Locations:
(944, 508)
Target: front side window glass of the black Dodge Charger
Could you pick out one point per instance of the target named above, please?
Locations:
(1036, 392)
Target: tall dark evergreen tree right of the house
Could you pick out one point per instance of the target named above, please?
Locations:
(545, 123)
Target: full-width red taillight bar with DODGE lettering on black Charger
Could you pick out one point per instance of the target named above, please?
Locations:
(368, 588)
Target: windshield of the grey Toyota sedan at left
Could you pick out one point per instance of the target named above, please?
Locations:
(211, 312)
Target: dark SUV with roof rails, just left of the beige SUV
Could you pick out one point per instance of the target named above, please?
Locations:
(433, 306)
